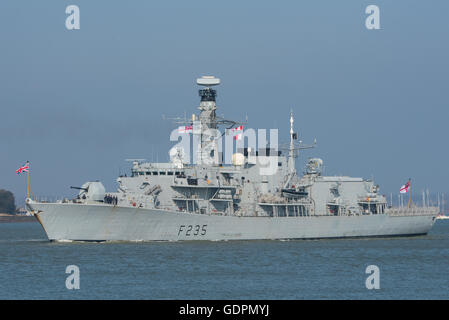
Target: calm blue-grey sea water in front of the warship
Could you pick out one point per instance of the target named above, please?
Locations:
(410, 268)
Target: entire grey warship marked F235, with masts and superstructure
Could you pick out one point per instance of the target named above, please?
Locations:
(241, 200)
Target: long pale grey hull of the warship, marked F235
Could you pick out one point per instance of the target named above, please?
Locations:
(98, 222)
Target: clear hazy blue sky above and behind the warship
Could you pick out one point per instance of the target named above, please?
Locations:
(77, 103)
